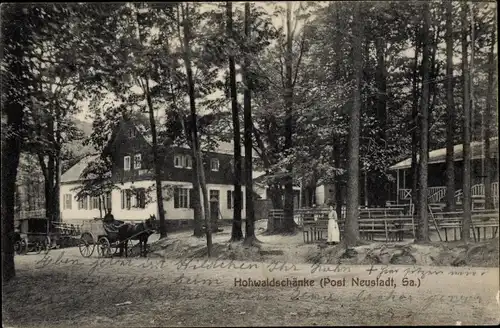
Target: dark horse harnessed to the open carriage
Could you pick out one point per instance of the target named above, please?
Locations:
(139, 231)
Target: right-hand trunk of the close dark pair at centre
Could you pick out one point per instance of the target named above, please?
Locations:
(248, 141)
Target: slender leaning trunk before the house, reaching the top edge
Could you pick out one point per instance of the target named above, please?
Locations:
(194, 123)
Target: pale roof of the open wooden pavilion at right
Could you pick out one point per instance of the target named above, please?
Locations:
(439, 155)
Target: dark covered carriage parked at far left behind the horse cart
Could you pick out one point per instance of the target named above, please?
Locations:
(32, 235)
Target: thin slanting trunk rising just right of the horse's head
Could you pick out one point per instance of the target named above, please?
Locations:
(157, 164)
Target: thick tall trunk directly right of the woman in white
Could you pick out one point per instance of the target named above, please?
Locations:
(351, 224)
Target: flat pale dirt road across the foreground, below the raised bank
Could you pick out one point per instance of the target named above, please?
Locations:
(62, 289)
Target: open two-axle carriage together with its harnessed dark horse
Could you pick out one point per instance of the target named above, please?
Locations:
(113, 238)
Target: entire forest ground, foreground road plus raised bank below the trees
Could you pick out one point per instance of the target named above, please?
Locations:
(176, 286)
